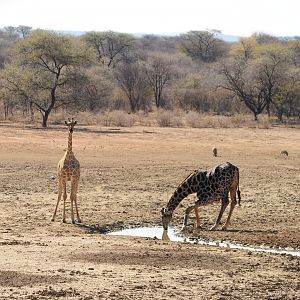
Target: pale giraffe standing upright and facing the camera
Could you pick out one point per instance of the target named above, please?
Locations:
(68, 170)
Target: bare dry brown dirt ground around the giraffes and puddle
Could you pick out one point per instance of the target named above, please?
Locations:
(128, 174)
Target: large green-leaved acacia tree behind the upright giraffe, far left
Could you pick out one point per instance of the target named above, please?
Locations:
(49, 63)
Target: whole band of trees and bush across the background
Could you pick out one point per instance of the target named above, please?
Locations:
(44, 71)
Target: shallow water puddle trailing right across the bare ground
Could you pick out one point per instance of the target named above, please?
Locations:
(174, 235)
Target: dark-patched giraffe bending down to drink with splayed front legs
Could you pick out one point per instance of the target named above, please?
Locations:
(210, 186)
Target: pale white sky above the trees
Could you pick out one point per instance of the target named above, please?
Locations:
(165, 17)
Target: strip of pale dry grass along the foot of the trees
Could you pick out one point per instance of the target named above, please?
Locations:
(160, 118)
